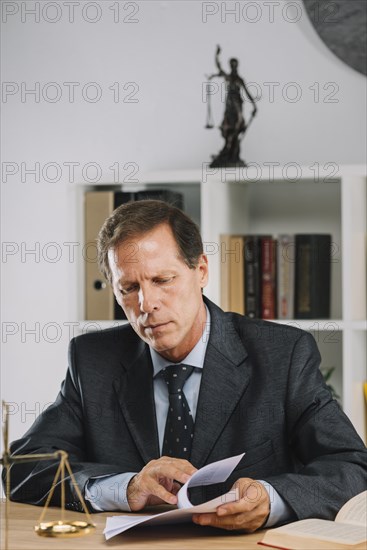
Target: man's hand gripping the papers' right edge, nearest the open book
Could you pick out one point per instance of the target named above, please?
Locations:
(249, 513)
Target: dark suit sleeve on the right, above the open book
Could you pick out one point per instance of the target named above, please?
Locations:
(330, 458)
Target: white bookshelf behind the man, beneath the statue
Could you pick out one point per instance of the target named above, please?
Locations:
(239, 201)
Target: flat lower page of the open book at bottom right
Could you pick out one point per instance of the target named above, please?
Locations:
(326, 530)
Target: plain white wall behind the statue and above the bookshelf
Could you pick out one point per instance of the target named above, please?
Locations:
(166, 53)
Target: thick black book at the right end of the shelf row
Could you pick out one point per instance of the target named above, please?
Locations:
(312, 288)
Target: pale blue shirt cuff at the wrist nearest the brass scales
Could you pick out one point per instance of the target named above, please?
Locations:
(108, 493)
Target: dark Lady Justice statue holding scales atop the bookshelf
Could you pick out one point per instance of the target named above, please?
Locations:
(233, 126)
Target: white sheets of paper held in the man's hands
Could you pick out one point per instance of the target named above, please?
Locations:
(217, 472)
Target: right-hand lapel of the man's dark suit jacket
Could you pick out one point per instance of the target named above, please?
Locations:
(224, 380)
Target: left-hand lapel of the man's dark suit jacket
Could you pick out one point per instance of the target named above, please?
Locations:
(136, 398)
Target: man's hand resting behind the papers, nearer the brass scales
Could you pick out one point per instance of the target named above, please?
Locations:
(158, 482)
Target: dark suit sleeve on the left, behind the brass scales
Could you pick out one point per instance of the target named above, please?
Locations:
(61, 426)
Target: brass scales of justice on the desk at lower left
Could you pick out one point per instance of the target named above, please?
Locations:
(62, 528)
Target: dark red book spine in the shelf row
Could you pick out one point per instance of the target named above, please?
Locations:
(268, 278)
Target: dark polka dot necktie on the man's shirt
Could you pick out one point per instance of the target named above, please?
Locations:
(180, 424)
